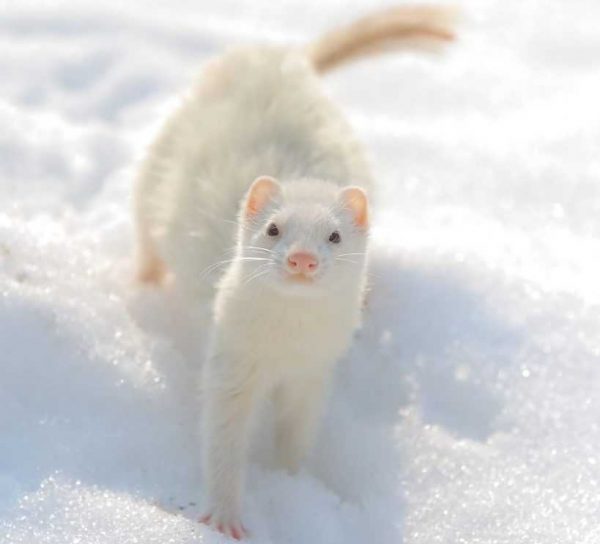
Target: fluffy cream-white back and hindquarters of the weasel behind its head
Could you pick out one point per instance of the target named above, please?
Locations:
(255, 110)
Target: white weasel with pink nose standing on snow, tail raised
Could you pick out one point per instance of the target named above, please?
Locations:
(258, 129)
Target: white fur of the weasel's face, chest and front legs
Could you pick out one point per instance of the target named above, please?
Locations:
(275, 336)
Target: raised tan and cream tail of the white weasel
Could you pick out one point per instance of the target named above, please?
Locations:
(416, 27)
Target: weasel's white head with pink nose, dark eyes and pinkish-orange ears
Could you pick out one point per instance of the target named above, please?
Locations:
(305, 237)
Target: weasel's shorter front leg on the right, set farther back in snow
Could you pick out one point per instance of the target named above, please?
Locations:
(299, 408)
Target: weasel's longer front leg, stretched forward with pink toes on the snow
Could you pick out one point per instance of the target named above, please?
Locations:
(228, 405)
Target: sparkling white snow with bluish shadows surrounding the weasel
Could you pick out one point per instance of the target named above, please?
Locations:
(468, 409)
